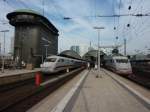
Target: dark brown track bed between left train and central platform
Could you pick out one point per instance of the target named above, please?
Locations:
(20, 99)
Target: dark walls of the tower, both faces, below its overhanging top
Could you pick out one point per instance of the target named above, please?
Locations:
(30, 47)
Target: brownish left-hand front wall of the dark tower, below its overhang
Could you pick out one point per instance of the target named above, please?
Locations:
(25, 42)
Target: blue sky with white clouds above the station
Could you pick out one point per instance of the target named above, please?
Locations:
(83, 14)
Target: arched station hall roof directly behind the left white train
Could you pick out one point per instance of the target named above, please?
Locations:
(70, 53)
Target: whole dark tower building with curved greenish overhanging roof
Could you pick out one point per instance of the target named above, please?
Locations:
(35, 36)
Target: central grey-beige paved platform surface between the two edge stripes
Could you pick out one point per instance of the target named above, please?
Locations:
(105, 95)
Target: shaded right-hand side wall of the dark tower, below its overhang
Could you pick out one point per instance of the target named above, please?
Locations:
(52, 49)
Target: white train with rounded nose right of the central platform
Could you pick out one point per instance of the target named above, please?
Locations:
(118, 64)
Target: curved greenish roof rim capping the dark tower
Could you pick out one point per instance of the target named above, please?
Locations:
(31, 12)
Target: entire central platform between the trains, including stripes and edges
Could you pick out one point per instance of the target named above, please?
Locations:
(102, 94)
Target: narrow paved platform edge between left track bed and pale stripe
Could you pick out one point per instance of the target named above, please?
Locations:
(48, 103)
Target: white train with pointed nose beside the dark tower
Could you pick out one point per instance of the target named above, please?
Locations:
(53, 64)
